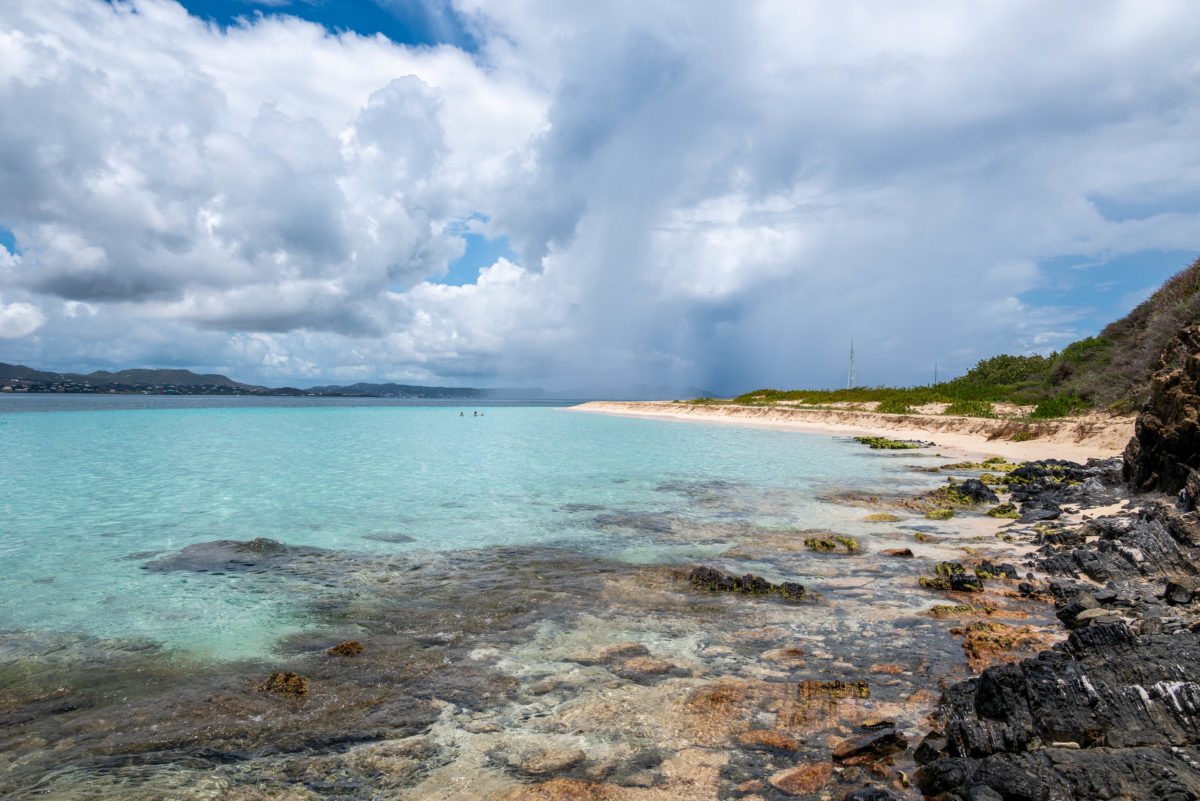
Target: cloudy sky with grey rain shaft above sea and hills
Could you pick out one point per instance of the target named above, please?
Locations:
(537, 194)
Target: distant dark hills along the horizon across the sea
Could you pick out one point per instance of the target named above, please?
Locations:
(19, 378)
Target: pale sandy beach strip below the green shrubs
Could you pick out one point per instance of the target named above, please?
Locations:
(1077, 439)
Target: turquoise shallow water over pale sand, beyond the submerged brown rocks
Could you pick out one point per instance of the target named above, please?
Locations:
(89, 498)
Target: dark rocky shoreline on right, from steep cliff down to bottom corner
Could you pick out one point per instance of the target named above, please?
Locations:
(1112, 713)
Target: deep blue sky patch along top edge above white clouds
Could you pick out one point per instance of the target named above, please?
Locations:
(407, 22)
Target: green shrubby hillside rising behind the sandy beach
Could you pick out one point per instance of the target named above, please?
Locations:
(1109, 372)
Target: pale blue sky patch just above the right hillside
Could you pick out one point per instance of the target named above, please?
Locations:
(1105, 292)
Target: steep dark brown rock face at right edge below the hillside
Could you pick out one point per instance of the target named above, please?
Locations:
(1165, 454)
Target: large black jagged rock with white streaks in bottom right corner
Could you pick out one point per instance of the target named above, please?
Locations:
(1108, 714)
